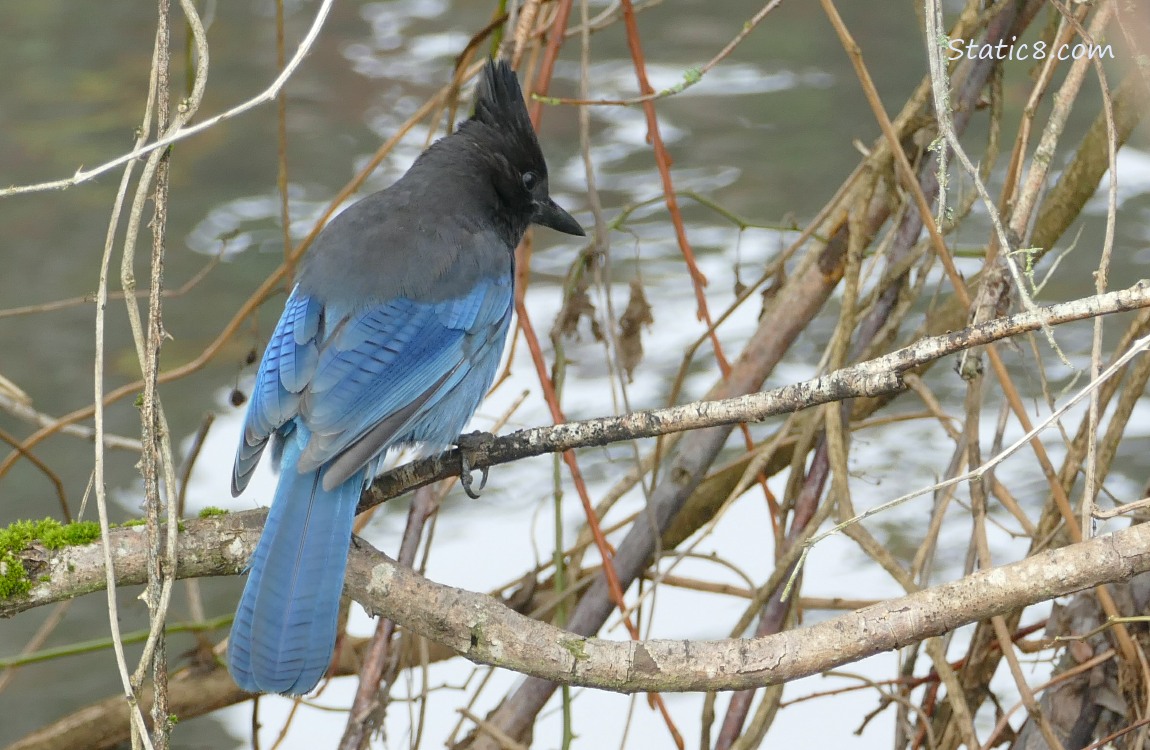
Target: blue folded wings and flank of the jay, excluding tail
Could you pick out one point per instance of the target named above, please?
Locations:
(395, 372)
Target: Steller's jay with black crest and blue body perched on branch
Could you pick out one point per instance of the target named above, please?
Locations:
(392, 336)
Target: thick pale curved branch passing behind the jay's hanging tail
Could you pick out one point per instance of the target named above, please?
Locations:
(485, 631)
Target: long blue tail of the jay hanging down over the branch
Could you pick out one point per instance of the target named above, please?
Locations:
(285, 631)
